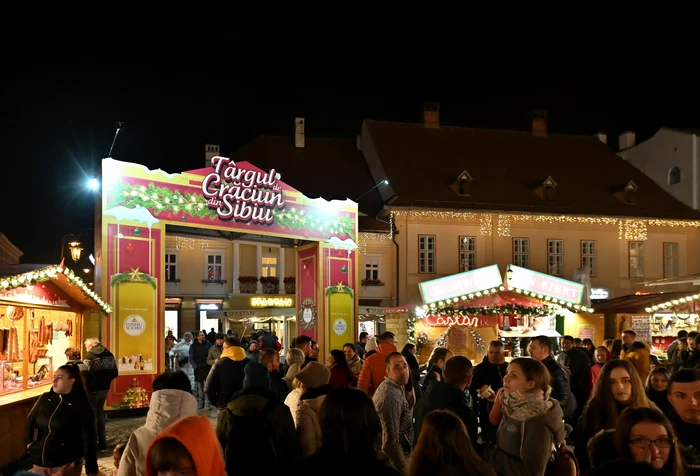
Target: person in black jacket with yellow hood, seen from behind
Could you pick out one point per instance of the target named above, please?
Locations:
(227, 374)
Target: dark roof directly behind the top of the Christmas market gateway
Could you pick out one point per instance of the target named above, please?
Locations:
(327, 168)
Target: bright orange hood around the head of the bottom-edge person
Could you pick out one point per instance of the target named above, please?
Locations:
(204, 449)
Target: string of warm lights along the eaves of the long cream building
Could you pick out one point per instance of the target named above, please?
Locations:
(628, 228)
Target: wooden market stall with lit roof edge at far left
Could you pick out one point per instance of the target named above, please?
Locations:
(43, 311)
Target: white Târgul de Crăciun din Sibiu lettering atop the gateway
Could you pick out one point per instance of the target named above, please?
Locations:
(242, 195)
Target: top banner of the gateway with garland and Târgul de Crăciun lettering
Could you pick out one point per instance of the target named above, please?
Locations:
(229, 195)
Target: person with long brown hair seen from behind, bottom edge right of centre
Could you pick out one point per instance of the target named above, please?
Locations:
(444, 448)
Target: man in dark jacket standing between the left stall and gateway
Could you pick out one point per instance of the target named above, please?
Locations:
(102, 365)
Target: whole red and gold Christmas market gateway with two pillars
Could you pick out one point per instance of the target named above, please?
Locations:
(137, 205)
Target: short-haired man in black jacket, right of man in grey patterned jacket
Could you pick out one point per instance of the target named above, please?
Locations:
(450, 395)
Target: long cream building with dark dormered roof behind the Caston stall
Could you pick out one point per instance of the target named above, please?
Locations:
(552, 203)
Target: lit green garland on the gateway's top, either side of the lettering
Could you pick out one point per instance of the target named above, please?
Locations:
(162, 199)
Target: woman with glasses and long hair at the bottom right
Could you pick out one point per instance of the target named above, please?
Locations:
(643, 435)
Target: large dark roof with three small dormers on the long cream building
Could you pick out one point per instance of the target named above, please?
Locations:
(506, 167)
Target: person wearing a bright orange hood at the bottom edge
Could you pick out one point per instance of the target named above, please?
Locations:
(188, 446)
